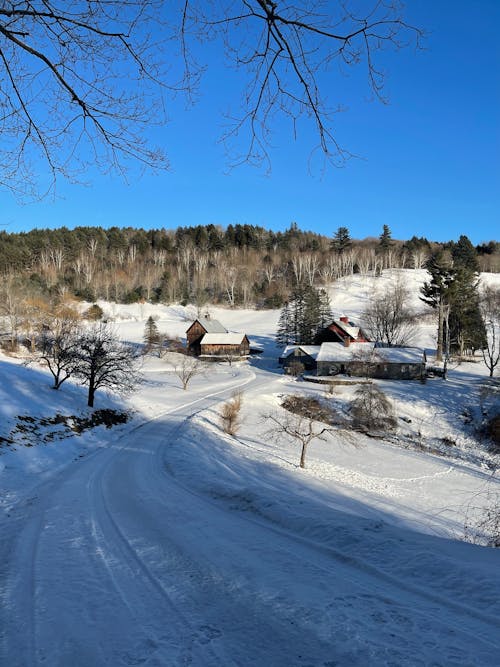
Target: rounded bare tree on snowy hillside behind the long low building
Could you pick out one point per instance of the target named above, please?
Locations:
(387, 318)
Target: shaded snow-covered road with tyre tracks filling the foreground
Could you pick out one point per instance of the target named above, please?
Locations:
(121, 560)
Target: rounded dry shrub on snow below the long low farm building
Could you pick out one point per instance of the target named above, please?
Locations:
(372, 410)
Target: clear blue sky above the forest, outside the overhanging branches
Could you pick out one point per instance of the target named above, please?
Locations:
(429, 162)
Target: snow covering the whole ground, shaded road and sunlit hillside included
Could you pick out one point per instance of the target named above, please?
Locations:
(165, 542)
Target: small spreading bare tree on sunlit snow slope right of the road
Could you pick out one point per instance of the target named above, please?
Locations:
(299, 422)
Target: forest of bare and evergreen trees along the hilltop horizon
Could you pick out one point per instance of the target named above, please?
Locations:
(241, 265)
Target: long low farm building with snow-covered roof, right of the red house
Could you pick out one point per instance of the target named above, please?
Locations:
(369, 360)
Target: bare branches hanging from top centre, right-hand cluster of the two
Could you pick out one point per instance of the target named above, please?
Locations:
(284, 49)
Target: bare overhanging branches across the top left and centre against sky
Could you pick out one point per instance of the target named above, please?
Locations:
(83, 81)
